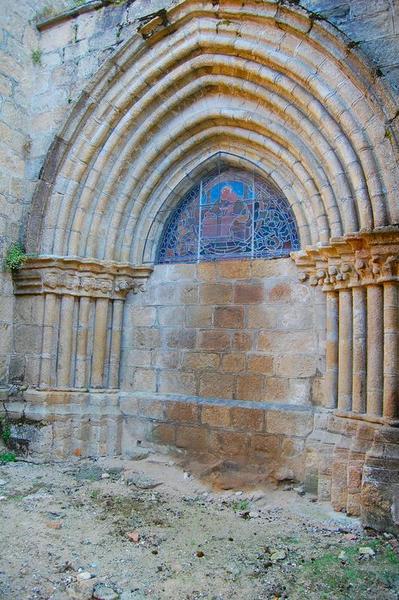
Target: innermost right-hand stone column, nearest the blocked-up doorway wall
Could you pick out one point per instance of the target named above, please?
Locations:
(331, 379)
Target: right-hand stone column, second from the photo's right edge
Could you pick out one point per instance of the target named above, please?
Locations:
(374, 349)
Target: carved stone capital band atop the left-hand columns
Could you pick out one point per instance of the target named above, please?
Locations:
(80, 277)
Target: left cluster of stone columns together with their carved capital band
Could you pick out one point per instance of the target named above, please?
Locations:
(78, 304)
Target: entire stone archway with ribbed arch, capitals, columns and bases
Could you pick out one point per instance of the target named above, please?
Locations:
(262, 83)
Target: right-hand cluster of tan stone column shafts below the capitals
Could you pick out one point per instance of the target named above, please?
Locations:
(362, 350)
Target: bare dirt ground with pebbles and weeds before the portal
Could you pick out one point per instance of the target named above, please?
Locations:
(138, 529)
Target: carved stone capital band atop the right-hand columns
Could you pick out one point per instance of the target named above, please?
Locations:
(352, 260)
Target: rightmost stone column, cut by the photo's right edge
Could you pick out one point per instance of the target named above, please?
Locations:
(391, 354)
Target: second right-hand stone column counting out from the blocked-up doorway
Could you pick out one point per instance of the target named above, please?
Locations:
(345, 350)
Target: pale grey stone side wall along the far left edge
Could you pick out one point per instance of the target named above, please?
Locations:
(17, 40)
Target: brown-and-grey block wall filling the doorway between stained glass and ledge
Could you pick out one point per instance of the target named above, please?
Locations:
(235, 330)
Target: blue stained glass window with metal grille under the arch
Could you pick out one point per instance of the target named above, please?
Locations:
(230, 213)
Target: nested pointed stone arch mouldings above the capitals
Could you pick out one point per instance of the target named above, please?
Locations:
(261, 83)
